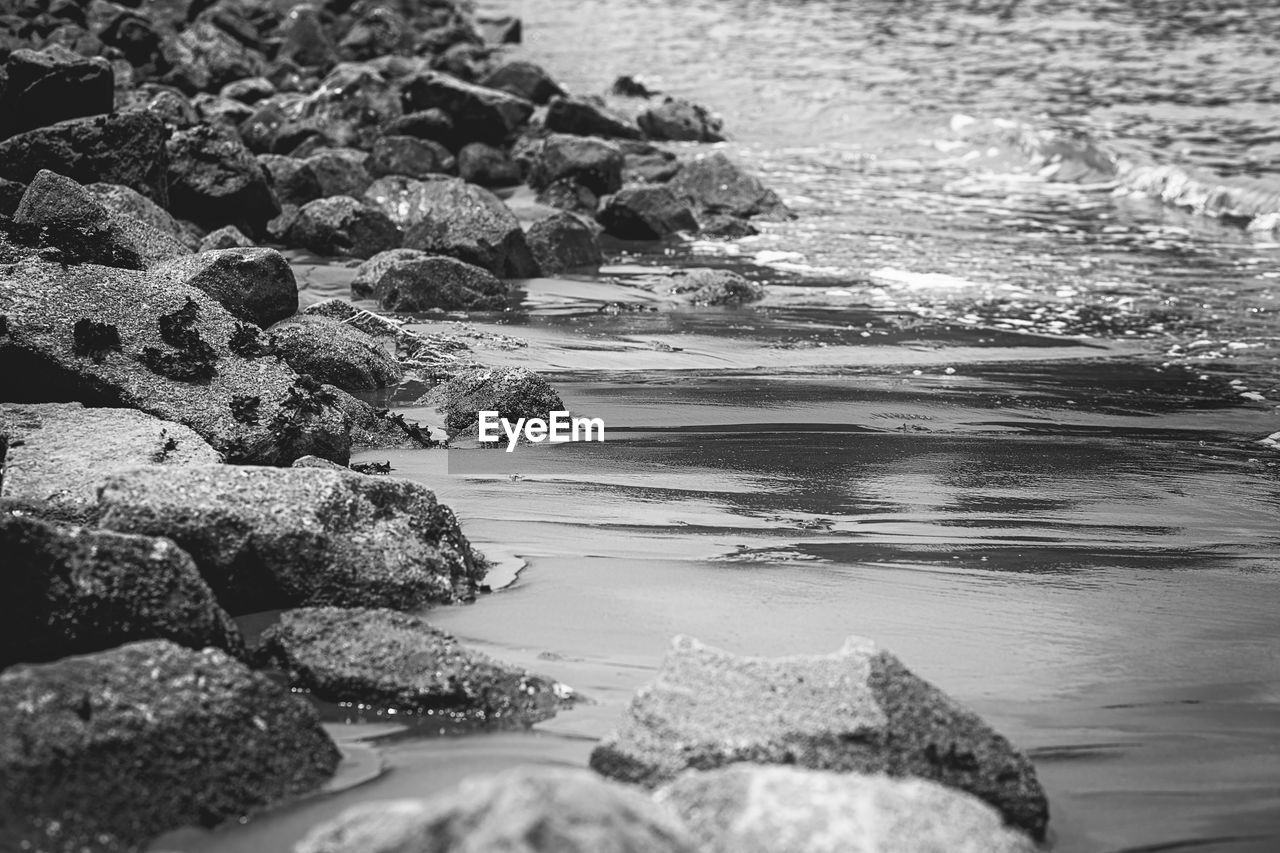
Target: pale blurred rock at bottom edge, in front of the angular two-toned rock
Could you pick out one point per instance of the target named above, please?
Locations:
(753, 809)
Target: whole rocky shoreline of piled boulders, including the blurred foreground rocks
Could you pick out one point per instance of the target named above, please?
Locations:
(176, 437)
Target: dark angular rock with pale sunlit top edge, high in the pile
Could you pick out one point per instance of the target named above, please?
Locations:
(481, 115)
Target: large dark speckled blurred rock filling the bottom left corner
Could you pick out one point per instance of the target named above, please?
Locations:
(111, 750)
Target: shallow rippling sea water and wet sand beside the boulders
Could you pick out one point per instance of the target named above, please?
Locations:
(999, 410)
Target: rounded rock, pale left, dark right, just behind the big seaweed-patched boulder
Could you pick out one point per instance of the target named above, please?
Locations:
(255, 285)
